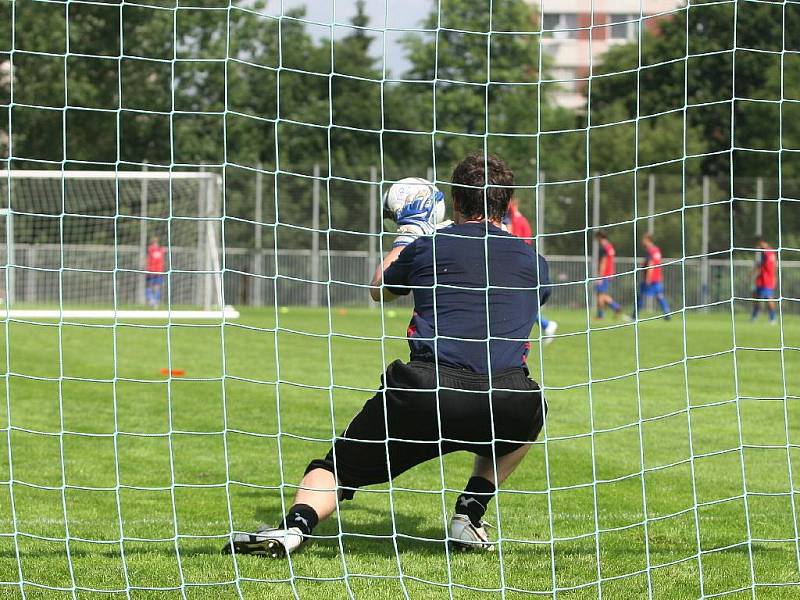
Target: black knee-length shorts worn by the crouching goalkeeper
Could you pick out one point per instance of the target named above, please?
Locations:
(472, 419)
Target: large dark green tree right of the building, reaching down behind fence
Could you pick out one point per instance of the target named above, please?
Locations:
(714, 77)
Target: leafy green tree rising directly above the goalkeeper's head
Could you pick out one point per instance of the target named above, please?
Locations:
(473, 90)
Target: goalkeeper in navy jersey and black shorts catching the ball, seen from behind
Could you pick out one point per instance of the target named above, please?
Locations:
(466, 386)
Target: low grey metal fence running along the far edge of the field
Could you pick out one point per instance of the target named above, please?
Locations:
(96, 275)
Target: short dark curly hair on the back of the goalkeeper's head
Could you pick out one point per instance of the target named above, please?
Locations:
(473, 195)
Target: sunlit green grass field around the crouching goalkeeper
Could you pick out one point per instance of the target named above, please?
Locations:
(689, 488)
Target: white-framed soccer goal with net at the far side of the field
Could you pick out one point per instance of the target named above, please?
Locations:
(75, 244)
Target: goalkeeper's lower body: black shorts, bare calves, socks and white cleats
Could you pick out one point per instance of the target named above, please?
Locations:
(367, 453)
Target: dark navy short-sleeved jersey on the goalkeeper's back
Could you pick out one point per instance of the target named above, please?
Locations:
(453, 306)
